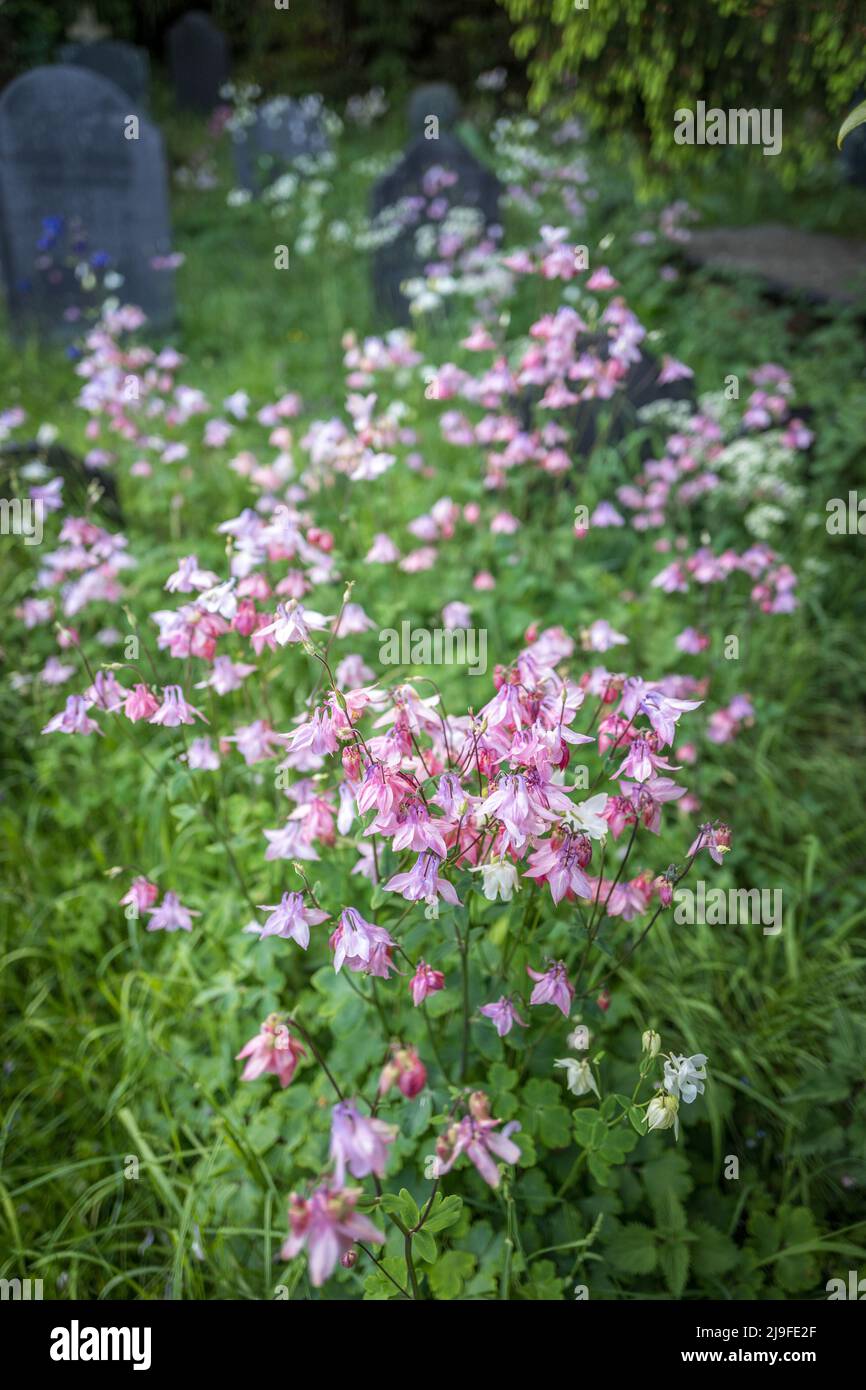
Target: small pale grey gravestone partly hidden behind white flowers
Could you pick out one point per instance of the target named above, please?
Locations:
(281, 131)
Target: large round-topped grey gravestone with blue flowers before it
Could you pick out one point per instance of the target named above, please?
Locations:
(77, 193)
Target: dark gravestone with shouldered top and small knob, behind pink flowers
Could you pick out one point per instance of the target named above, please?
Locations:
(402, 199)
